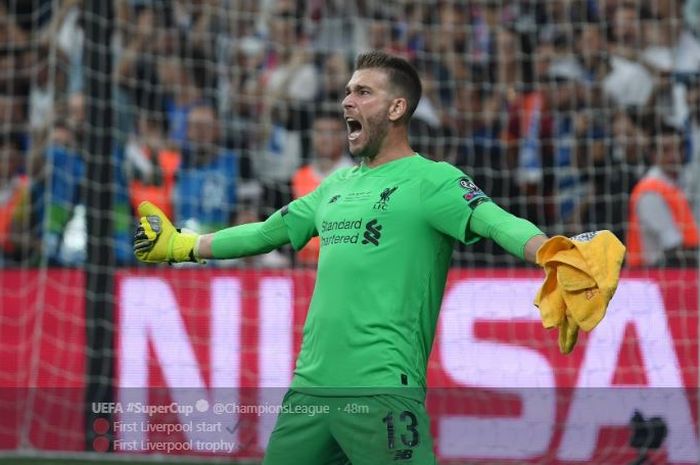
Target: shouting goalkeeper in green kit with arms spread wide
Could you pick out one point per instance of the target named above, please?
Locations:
(387, 230)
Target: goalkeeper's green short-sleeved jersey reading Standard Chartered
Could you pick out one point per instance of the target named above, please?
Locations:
(387, 235)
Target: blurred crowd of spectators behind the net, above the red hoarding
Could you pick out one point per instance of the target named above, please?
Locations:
(225, 110)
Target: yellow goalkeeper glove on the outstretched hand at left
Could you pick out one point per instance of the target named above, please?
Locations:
(157, 241)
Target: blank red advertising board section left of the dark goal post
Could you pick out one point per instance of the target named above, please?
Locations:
(42, 359)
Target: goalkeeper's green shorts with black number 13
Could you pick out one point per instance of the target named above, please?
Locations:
(368, 430)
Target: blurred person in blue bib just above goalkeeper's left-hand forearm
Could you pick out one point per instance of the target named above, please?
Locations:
(205, 188)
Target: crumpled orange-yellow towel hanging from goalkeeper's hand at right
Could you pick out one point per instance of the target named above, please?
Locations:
(581, 277)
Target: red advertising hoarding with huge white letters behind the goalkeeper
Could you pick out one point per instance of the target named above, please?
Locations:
(202, 340)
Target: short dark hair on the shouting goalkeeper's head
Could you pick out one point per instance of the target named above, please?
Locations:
(400, 72)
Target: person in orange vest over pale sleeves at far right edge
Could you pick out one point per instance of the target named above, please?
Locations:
(663, 230)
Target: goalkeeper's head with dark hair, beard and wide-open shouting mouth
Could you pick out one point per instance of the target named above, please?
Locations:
(380, 98)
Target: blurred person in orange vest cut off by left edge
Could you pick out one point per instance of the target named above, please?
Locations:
(15, 243)
